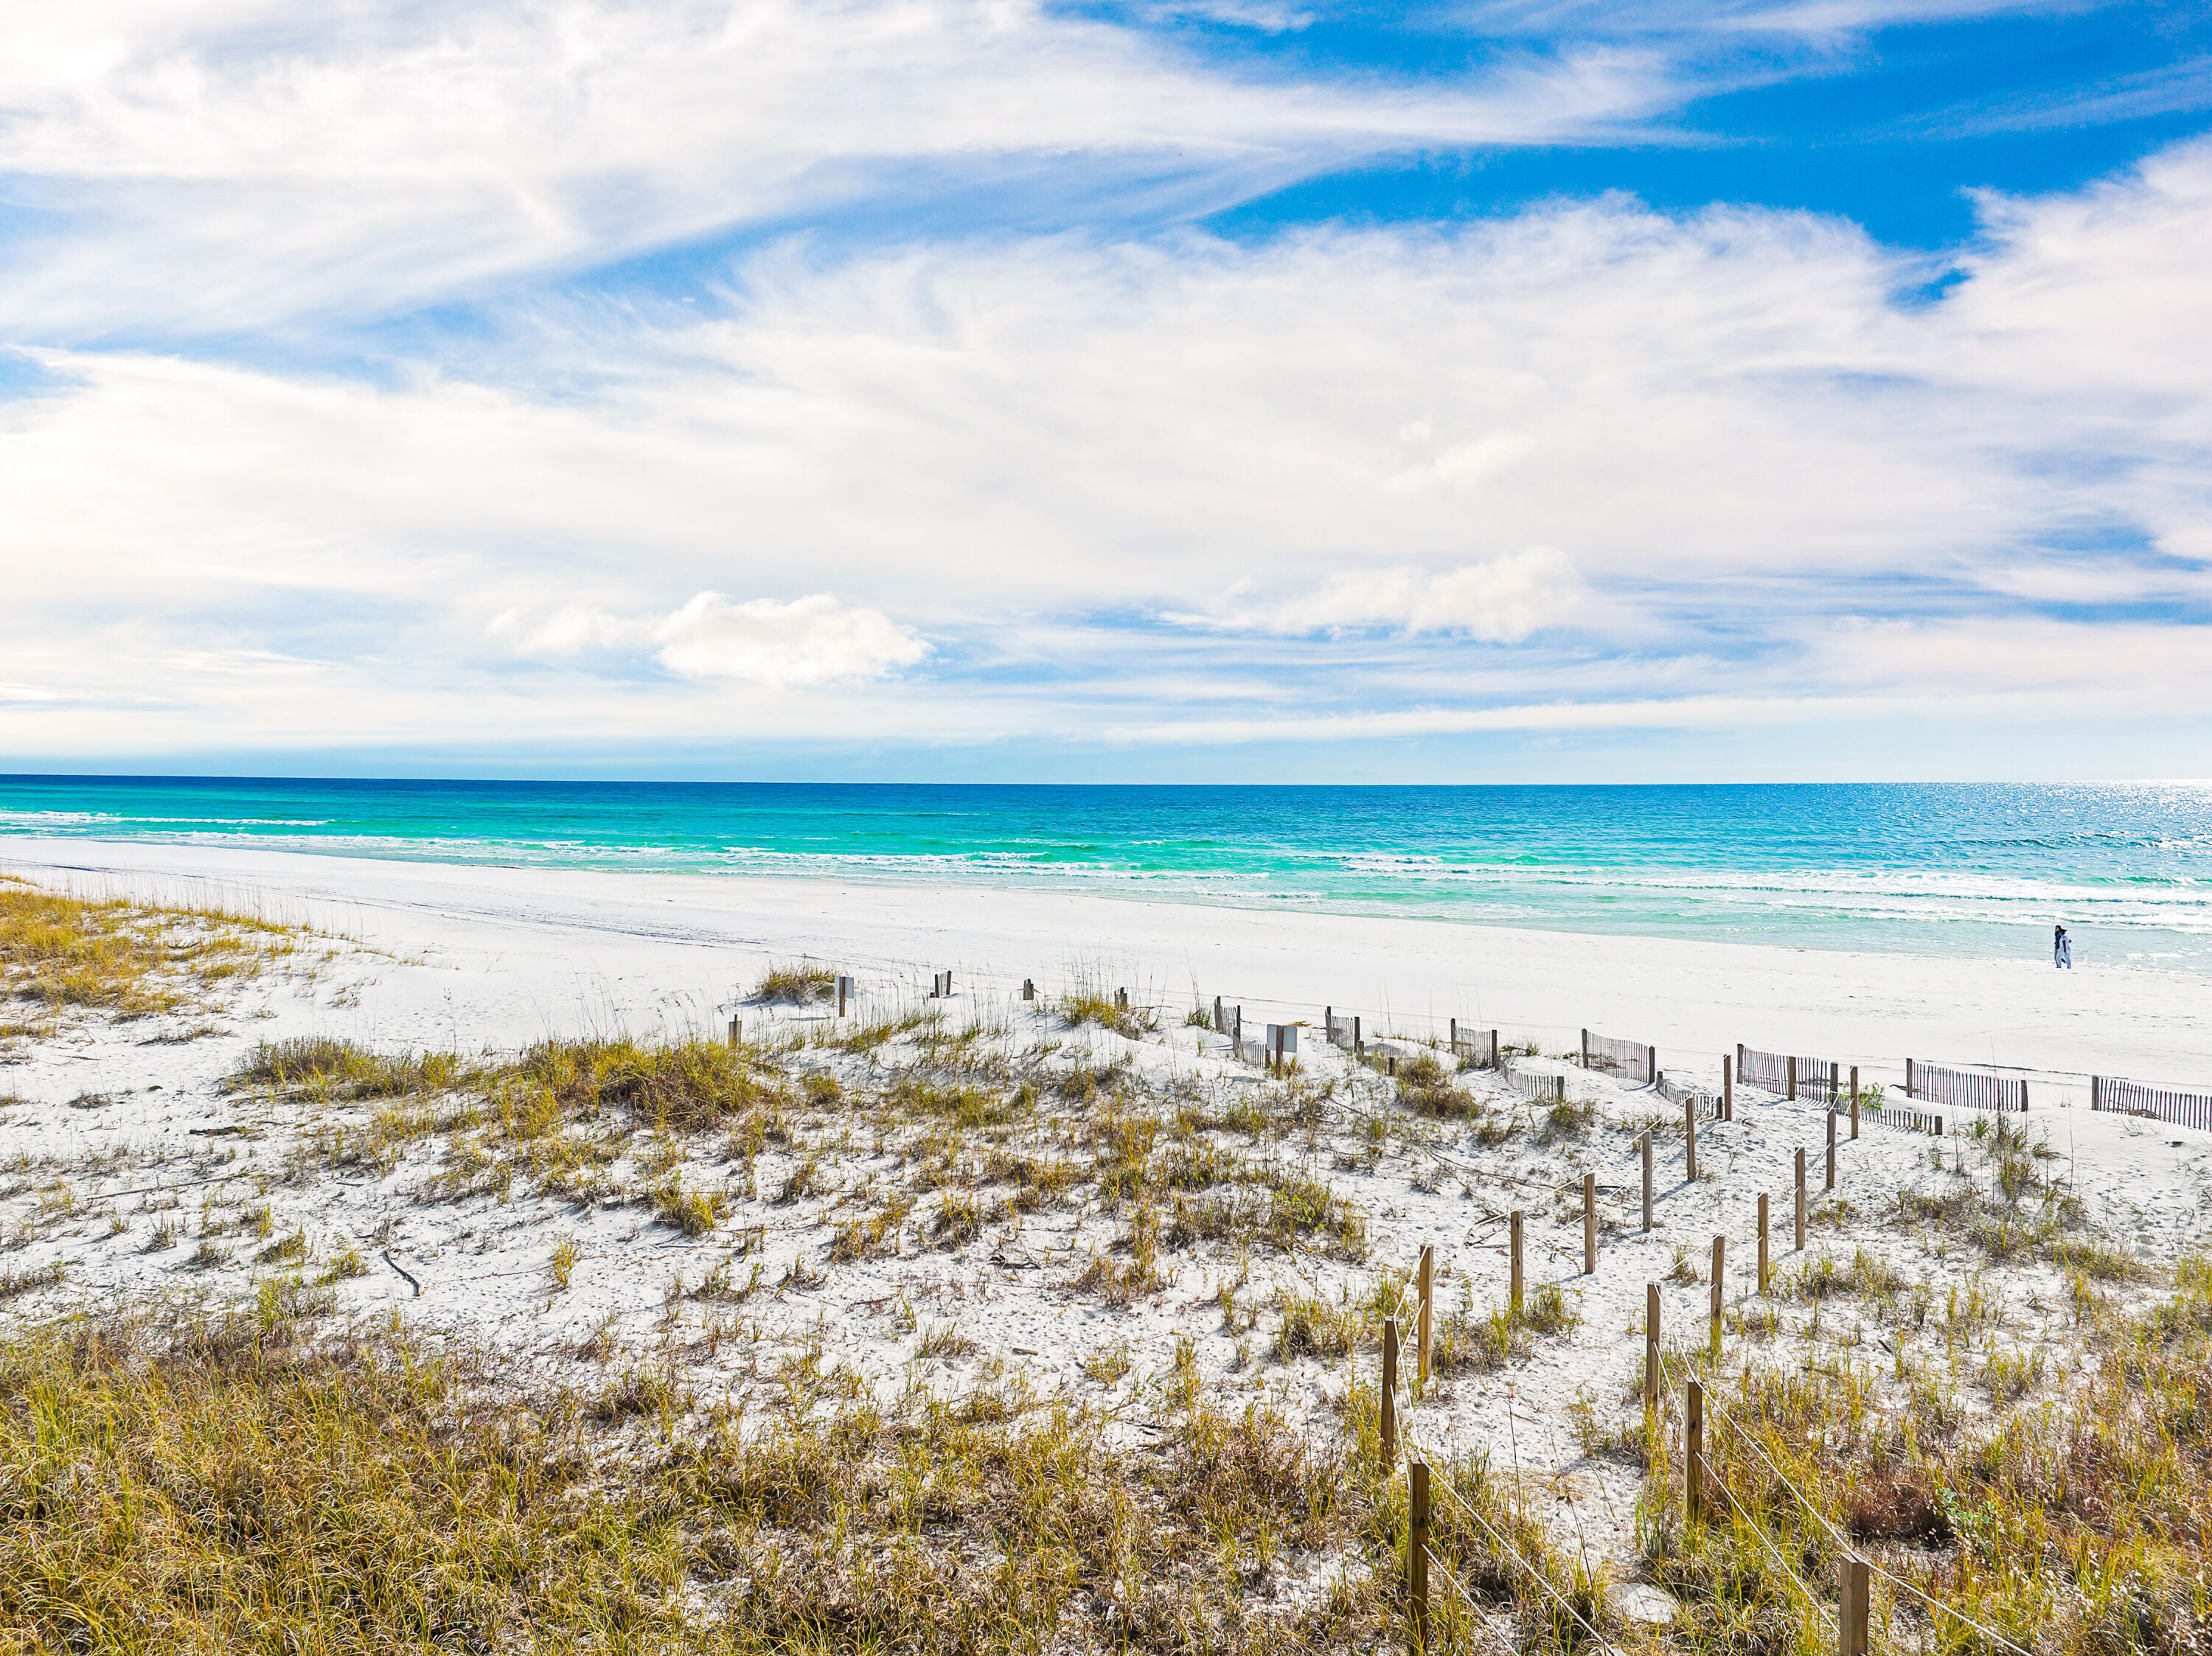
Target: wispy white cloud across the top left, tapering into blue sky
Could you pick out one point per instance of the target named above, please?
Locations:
(231, 165)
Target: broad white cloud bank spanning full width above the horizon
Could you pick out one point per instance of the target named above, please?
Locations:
(1339, 450)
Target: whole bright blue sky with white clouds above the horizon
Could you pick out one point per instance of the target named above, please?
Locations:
(1240, 390)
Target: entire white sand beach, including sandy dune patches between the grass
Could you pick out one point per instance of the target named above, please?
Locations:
(472, 958)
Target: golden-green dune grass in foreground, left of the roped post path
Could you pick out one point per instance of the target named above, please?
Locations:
(244, 1485)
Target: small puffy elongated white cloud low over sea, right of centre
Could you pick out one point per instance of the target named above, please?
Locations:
(1501, 600)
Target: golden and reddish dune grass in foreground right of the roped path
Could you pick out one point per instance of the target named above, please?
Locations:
(2074, 1520)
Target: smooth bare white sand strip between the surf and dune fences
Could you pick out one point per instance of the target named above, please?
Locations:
(550, 950)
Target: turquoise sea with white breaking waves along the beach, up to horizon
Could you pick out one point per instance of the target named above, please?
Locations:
(1892, 868)
